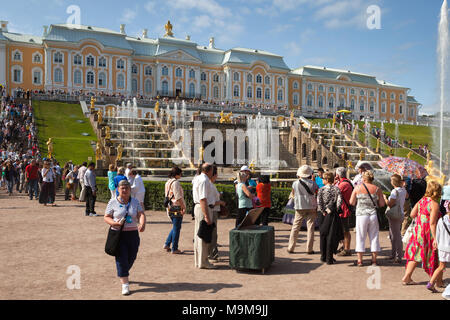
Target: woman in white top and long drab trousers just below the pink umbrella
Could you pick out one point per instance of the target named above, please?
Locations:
(397, 198)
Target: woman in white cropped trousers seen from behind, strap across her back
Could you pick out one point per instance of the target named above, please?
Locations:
(367, 197)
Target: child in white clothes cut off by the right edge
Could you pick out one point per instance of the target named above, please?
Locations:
(442, 244)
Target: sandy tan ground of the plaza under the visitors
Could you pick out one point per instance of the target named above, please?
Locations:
(39, 243)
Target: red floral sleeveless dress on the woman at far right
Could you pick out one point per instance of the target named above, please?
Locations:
(420, 246)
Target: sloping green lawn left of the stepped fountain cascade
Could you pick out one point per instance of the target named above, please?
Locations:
(59, 121)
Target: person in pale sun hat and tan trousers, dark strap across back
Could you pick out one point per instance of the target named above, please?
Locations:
(304, 191)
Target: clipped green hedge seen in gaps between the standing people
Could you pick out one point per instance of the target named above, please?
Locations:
(154, 198)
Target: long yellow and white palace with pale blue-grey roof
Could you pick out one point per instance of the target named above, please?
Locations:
(71, 58)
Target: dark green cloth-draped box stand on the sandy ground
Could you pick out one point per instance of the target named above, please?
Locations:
(252, 248)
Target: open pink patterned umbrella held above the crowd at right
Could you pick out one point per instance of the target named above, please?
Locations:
(403, 167)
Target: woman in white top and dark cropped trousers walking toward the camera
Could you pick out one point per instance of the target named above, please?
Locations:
(125, 216)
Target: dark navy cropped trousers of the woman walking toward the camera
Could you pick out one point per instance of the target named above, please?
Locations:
(128, 249)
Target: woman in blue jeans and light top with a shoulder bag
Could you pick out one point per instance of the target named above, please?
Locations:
(176, 209)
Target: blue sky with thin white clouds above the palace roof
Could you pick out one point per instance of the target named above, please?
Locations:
(330, 33)
